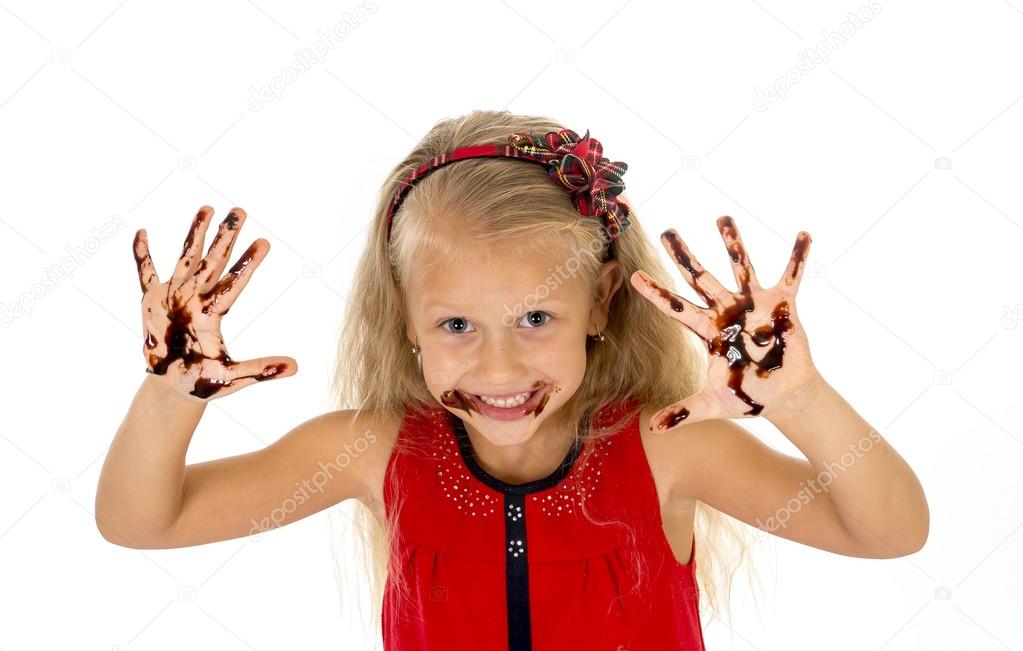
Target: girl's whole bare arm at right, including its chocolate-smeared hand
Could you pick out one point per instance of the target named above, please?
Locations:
(854, 494)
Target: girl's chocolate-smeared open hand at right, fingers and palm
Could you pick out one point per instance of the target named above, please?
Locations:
(761, 360)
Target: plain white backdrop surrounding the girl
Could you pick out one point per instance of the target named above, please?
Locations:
(900, 154)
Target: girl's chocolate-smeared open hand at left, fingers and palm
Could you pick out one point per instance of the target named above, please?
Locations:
(182, 318)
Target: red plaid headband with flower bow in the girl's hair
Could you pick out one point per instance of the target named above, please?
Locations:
(576, 165)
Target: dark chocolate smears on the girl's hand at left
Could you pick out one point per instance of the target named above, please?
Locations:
(181, 337)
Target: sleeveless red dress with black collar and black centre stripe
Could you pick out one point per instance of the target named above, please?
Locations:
(493, 567)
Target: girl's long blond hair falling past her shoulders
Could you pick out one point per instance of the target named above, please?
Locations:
(645, 356)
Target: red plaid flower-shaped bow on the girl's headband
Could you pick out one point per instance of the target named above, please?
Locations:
(577, 165)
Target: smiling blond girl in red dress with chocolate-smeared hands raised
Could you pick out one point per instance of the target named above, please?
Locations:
(529, 438)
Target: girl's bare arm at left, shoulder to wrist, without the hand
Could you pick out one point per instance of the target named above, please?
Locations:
(149, 499)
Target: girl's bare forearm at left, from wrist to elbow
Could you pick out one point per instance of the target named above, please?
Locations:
(143, 480)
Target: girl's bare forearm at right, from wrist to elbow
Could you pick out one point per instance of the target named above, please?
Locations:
(874, 492)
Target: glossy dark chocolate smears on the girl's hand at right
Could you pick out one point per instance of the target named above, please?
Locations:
(731, 321)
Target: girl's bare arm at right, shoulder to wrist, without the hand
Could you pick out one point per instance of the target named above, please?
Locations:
(853, 495)
